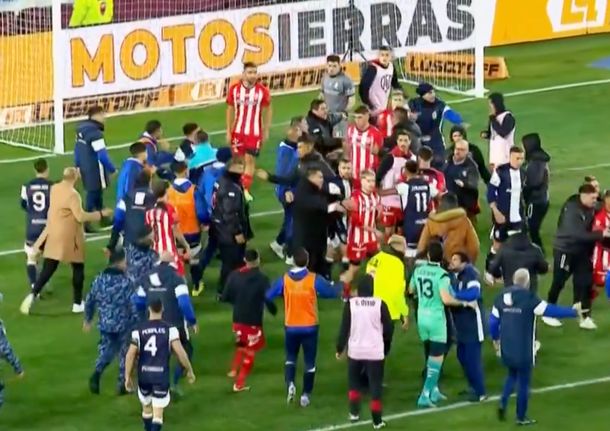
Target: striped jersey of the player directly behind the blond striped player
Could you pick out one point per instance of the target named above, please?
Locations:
(360, 145)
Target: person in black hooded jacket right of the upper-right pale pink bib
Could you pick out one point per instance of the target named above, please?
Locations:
(536, 187)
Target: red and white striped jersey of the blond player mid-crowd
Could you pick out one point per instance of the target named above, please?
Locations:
(363, 219)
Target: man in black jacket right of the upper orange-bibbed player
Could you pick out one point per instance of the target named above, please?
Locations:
(230, 219)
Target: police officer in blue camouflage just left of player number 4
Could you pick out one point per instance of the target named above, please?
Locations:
(110, 294)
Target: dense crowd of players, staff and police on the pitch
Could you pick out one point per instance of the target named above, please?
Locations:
(373, 185)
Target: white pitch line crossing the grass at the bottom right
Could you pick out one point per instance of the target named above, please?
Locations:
(461, 405)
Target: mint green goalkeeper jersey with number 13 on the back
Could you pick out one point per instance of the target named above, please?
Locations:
(427, 281)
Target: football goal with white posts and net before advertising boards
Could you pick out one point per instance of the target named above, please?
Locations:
(60, 57)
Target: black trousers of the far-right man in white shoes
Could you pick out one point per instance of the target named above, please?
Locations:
(578, 266)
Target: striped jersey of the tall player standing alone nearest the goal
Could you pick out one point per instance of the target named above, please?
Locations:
(248, 103)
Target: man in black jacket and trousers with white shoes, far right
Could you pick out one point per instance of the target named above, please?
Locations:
(572, 251)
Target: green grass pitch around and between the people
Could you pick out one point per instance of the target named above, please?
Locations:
(58, 357)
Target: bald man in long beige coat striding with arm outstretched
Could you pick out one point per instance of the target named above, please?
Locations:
(63, 239)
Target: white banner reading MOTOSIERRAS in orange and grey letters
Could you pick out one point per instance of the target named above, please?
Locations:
(144, 54)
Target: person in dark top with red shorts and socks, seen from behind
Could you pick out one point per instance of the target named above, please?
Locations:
(245, 290)
